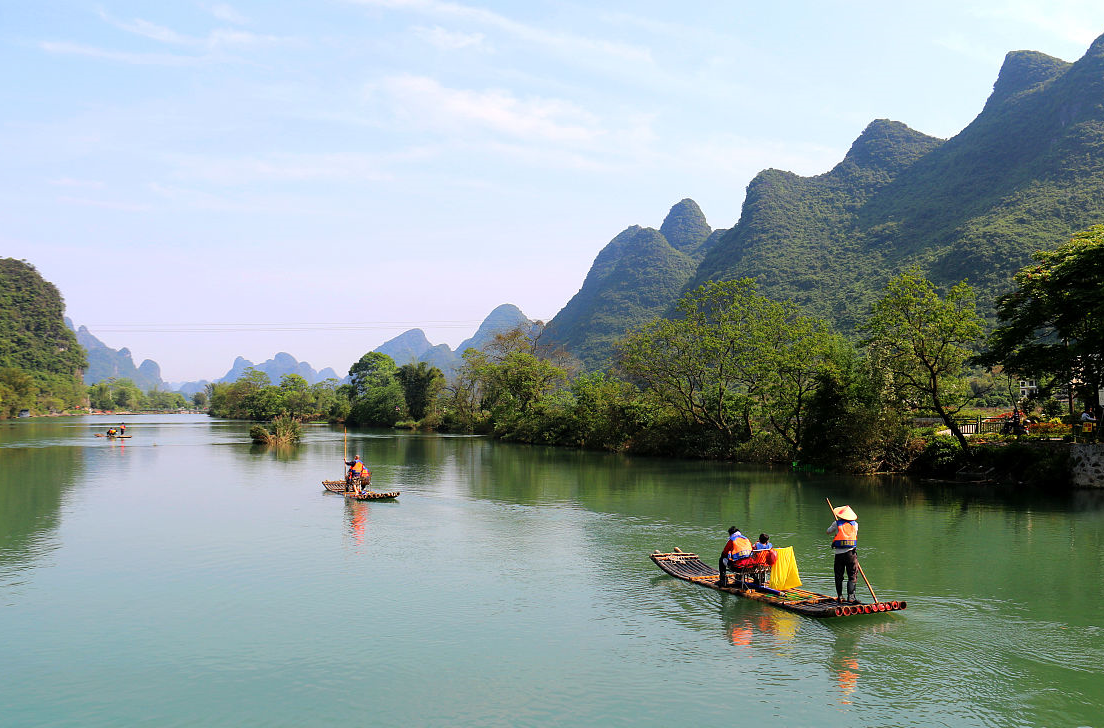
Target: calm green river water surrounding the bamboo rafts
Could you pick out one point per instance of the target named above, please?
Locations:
(186, 578)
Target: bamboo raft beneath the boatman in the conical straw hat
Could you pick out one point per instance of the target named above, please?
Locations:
(691, 568)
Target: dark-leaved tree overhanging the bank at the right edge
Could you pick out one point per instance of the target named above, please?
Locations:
(1053, 323)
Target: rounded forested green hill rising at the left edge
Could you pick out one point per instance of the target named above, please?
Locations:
(40, 358)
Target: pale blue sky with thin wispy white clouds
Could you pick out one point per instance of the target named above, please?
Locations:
(204, 181)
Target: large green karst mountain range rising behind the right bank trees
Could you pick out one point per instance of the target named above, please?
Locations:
(1023, 177)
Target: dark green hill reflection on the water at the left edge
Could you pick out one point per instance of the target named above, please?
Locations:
(34, 482)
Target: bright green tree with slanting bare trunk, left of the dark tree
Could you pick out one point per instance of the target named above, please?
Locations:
(926, 343)
